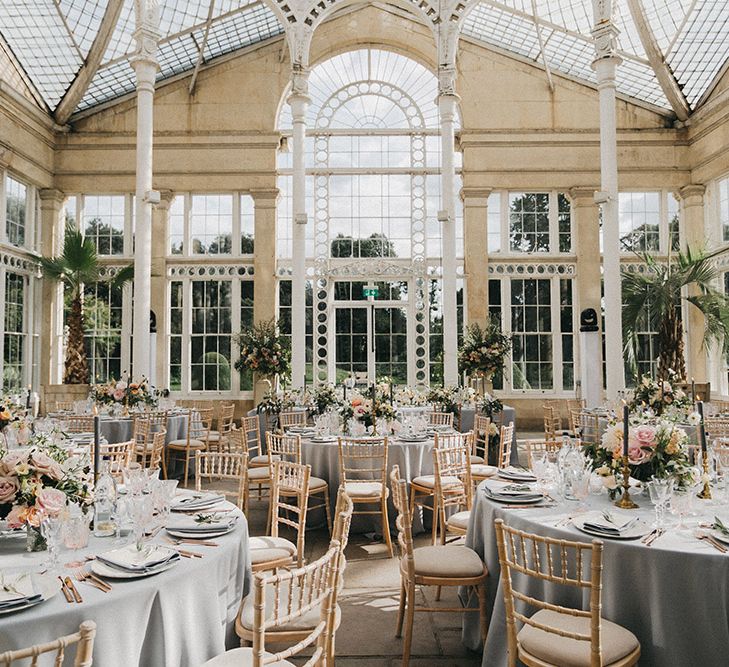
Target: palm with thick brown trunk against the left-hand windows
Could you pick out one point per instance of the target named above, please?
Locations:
(76, 266)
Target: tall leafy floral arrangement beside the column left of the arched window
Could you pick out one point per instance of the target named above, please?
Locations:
(264, 350)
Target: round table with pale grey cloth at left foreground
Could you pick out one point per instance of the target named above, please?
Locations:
(181, 617)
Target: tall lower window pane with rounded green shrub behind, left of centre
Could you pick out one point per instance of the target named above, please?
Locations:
(210, 342)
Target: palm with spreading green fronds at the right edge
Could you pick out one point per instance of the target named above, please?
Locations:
(656, 297)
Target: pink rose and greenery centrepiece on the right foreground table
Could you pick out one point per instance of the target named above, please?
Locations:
(657, 447)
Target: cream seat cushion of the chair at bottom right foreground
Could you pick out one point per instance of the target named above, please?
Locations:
(617, 642)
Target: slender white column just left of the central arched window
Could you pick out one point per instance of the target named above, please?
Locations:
(299, 102)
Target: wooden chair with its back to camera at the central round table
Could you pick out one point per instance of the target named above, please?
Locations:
(363, 476)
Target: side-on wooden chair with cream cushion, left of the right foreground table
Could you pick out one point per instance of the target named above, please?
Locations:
(441, 565)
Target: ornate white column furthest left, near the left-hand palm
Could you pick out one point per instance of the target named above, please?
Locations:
(145, 67)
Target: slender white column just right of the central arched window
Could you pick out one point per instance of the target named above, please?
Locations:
(447, 100)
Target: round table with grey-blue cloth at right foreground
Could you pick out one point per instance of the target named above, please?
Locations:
(674, 595)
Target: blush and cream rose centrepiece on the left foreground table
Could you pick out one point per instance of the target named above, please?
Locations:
(40, 481)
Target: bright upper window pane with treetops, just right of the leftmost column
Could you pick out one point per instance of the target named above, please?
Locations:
(211, 224)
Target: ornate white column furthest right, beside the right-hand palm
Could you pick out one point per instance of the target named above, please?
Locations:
(604, 65)
